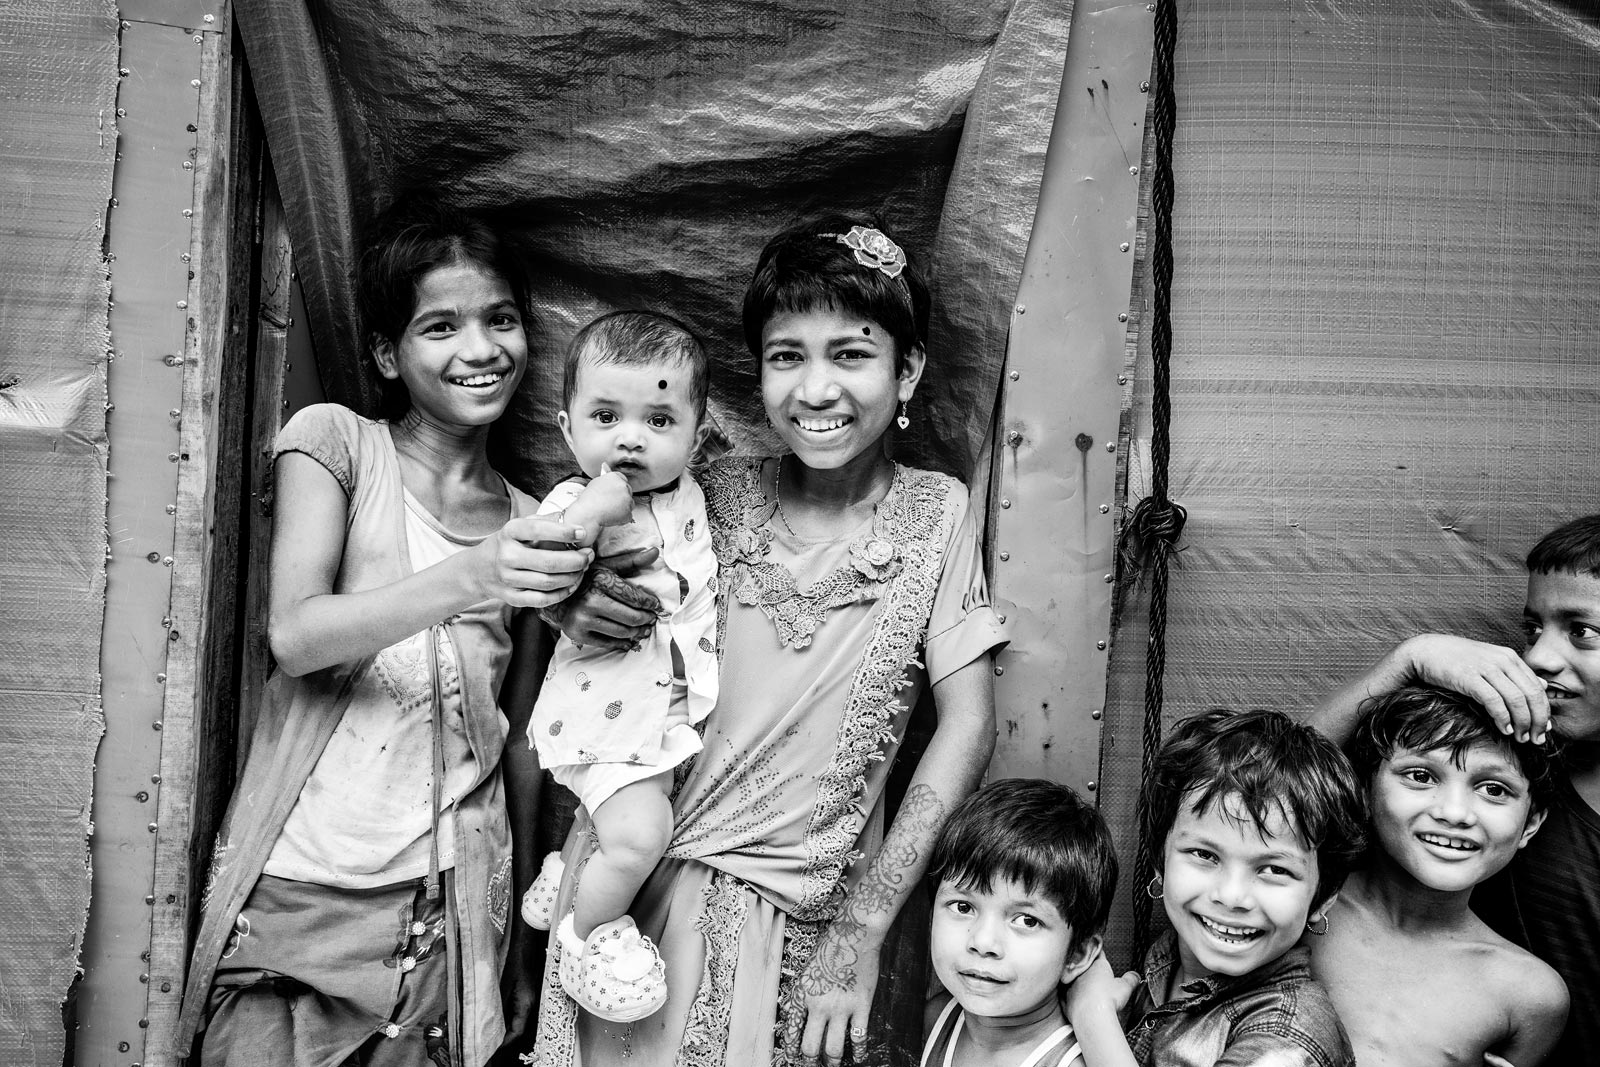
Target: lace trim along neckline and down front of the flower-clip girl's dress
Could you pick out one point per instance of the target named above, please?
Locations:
(900, 559)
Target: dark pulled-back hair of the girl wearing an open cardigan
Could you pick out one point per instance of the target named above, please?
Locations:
(418, 234)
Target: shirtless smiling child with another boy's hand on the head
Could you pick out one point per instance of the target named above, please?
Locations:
(1420, 981)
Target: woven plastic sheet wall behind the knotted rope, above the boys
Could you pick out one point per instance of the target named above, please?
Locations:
(1386, 340)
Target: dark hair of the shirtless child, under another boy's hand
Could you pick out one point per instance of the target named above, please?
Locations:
(1423, 717)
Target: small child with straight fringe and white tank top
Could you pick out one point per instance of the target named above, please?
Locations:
(1025, 874)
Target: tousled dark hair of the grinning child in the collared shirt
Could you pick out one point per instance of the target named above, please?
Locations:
(1274, 767)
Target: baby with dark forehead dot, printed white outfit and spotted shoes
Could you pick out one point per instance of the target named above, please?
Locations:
(612, 725)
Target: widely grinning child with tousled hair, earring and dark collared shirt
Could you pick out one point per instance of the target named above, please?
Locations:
(1257, 820)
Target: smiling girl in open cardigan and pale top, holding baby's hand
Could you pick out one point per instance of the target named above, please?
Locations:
(361, 882)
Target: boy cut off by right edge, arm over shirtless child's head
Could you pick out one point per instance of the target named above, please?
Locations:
(1548, 900)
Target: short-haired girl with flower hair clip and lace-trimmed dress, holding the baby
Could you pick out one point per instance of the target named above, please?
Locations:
(847, 586)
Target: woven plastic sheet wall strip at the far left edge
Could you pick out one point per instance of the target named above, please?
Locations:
(57, 145)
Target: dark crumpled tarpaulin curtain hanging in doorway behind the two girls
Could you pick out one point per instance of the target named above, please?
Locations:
(647, 150)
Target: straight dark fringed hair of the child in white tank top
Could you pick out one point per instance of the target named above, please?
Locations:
(1041, 836)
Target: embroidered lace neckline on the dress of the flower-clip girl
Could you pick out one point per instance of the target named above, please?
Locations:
(758, 581)
